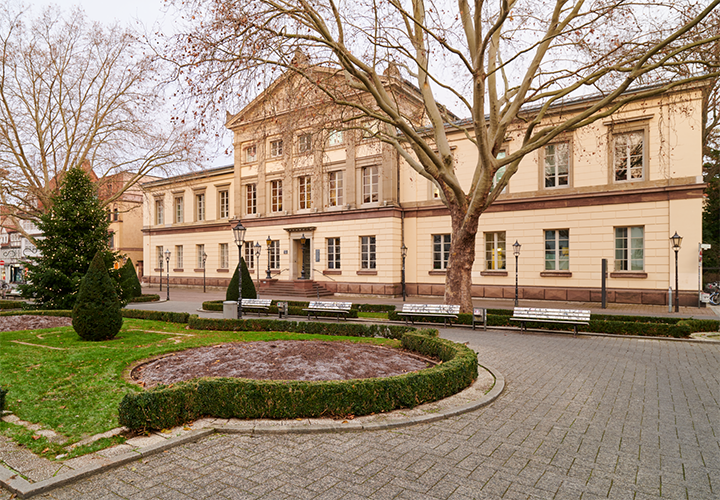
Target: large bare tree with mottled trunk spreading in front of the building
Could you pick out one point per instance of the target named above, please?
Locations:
(502, 62)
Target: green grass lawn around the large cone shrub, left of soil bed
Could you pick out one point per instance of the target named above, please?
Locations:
(75, 389)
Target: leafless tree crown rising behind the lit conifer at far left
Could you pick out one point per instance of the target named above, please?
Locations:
(72, 94)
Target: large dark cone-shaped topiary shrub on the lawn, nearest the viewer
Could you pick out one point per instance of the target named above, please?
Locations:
(97, 312)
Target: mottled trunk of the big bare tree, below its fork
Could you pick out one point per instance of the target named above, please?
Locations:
(458, 281)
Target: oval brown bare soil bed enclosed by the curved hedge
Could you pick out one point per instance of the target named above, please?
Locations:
(280, 360)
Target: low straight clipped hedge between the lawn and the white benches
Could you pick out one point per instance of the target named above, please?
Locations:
(278, 325)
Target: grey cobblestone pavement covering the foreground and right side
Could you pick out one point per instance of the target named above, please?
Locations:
(591, 417)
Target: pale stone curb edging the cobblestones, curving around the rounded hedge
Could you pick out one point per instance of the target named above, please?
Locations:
(14, 483)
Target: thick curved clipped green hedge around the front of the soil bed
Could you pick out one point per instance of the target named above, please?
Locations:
(166, 407)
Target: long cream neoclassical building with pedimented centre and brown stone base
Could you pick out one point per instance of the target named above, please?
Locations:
(336, 206)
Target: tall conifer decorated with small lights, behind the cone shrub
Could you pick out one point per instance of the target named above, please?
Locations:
(74, 230)
